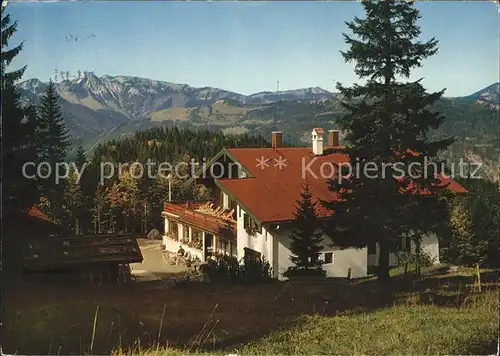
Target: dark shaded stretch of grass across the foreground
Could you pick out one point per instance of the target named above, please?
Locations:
(41, 319)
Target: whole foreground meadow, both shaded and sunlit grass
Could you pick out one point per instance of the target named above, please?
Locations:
(439, 313)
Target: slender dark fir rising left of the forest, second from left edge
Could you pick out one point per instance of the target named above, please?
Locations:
(53, 141)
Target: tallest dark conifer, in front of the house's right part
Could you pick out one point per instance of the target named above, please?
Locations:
(388, 121)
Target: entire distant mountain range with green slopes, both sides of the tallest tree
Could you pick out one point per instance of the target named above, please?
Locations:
(97, 109)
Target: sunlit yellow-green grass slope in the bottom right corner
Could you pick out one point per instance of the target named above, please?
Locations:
(417, 330)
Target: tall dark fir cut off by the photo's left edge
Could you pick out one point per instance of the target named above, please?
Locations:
(19, 193)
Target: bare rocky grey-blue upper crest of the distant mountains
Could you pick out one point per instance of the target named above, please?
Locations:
(137, 97)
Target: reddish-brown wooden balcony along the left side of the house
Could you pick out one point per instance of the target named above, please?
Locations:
(186, 213)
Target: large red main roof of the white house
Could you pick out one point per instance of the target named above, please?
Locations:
(271, 194)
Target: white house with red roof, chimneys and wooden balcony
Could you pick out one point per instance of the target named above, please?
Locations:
(255, 195)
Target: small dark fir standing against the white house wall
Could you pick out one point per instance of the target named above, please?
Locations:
(306, 238)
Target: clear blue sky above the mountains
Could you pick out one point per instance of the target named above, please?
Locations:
(245, 47)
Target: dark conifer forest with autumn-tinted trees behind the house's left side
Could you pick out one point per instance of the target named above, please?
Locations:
(134, 202)
